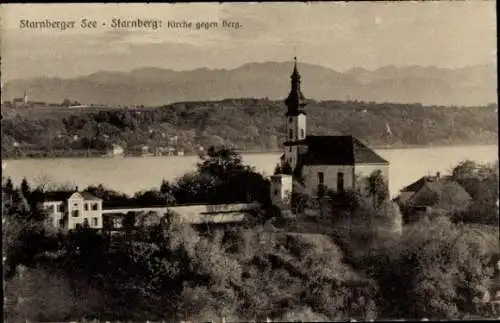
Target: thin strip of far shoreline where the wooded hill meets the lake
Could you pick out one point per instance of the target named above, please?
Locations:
(256, 151)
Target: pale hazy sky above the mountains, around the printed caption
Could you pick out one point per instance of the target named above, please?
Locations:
(336, 35)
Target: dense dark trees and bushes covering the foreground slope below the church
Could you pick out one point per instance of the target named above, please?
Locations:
(354, 259)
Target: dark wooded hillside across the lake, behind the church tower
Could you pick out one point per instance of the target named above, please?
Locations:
(248, 124)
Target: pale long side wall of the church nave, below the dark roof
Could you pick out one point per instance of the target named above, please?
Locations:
(311, 178)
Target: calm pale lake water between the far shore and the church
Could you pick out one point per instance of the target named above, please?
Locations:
(132, 174)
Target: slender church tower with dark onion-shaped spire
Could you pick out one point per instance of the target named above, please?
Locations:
(295, 119)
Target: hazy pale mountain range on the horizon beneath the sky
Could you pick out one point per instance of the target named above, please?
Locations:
(467, 86)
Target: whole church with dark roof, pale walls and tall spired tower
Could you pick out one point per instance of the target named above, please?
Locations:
(314, 164)
